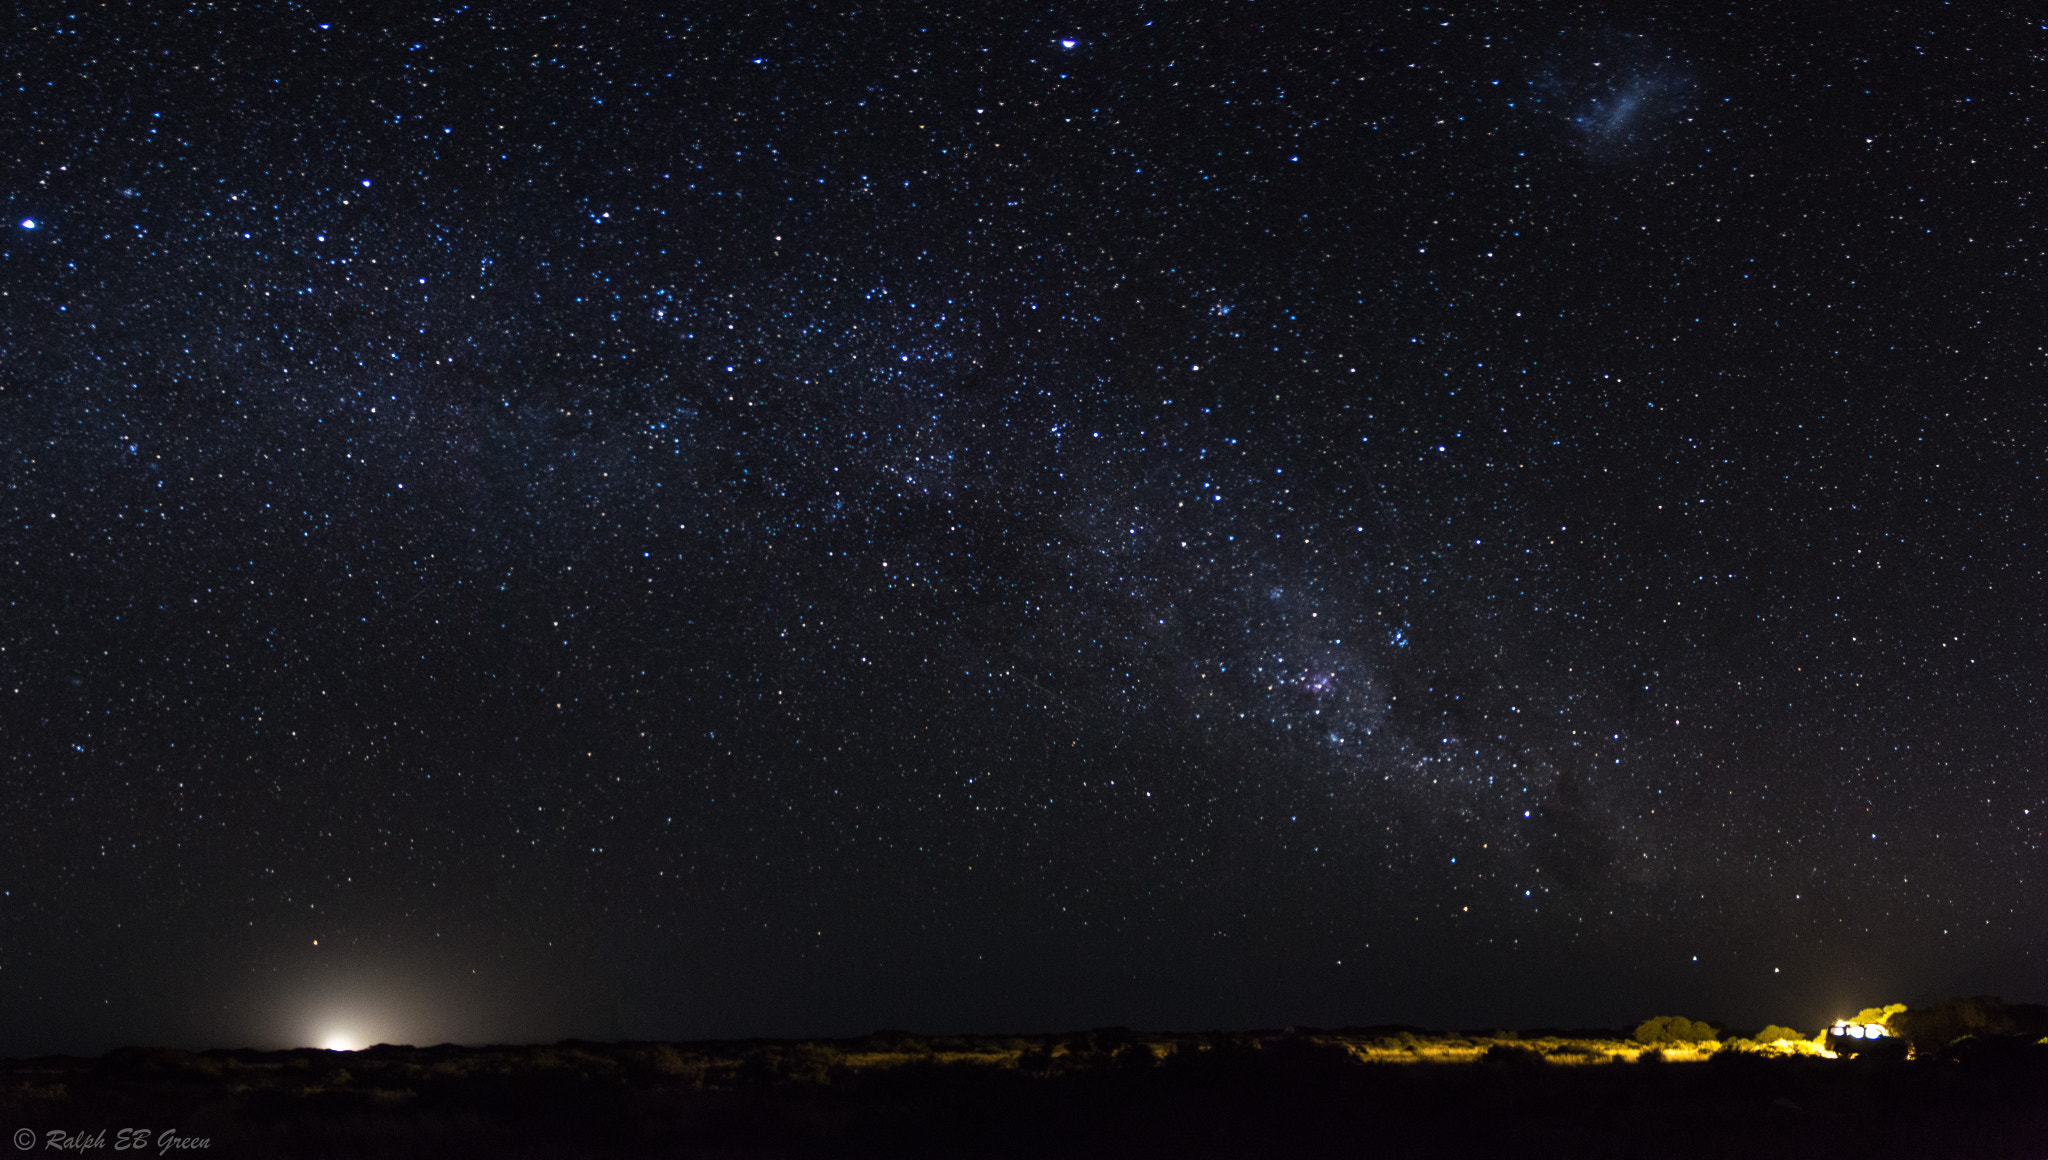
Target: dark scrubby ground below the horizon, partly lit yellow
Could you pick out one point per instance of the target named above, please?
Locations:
(1089, 1095)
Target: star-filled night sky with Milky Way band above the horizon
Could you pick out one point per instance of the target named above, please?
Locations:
(531, 522)
